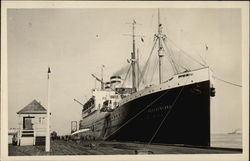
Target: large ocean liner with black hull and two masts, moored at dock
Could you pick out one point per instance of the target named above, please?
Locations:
(175, 111)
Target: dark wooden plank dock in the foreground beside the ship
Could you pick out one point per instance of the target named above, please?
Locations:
(61, 147)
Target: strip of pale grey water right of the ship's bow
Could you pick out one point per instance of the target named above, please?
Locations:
(226, 140)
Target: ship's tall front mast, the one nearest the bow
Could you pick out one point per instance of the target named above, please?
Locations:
(160, 48)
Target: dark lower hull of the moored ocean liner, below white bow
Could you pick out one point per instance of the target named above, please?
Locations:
(179, 115)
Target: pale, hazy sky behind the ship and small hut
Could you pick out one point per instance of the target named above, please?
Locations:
(76, 43)
